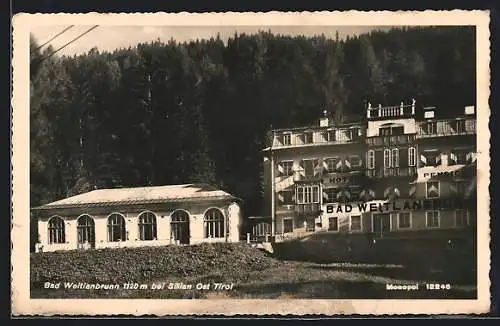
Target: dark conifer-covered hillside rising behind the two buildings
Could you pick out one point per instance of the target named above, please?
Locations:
(170, 113)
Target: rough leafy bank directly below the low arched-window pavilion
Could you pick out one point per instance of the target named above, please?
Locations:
(148, 263)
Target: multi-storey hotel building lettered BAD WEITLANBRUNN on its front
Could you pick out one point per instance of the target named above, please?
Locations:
(390, 173)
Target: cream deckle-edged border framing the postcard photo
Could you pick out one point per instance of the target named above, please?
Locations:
(23, 305)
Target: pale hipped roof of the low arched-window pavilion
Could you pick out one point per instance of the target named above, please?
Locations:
(141, 195)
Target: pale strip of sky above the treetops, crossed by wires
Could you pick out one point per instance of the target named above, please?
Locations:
(109, 38)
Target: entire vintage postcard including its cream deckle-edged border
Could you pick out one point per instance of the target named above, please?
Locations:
(308, 163)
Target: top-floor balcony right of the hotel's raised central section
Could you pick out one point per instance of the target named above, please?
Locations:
(444, 128)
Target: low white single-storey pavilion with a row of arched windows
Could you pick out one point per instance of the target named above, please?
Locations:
(135, 217)
